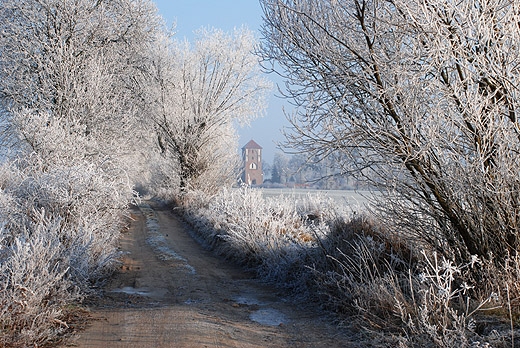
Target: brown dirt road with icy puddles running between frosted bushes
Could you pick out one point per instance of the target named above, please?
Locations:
(170, 292)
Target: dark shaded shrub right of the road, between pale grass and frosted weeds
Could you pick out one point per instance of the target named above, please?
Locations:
(366, 270)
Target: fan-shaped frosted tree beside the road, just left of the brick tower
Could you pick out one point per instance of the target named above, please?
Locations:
(200, 92)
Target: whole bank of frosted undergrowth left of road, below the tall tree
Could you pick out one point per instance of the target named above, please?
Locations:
(58, 239)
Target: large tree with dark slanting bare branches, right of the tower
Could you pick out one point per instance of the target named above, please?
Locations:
(422, 92)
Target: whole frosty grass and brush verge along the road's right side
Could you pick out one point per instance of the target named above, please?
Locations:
(397, 294)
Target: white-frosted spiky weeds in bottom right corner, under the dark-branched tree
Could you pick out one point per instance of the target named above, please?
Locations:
(442, 312)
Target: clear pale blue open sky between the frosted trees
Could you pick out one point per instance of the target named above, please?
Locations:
(191, 15)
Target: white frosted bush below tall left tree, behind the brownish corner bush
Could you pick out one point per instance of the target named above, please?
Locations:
(89, 202)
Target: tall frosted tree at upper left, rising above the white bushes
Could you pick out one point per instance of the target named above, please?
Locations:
(67, 75)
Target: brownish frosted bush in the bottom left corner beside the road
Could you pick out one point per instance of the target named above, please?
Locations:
(34, 283)
